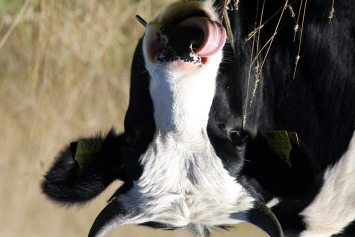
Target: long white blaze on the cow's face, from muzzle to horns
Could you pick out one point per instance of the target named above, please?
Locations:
(183, 182)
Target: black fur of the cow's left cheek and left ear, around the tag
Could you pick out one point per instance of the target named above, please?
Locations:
(66, 184)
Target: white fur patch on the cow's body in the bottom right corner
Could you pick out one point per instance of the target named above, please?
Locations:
(334, 207)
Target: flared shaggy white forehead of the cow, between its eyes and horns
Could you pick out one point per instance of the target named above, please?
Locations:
(184, 185)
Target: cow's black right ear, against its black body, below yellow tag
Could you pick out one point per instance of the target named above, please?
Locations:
(291, 177)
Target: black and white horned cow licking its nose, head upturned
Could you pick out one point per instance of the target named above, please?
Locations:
(196, 152)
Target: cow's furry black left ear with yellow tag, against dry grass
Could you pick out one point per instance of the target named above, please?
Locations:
(84, 168)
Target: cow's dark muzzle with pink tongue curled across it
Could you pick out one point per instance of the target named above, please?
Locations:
(191, 38)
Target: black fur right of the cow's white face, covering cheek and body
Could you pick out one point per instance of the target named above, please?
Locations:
(318, 103)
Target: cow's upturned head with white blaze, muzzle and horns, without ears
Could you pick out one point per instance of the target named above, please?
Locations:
(180, 176)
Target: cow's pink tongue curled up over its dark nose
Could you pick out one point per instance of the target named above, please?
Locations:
(214, 35)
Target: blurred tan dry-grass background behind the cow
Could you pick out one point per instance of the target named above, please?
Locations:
(64, 72)
